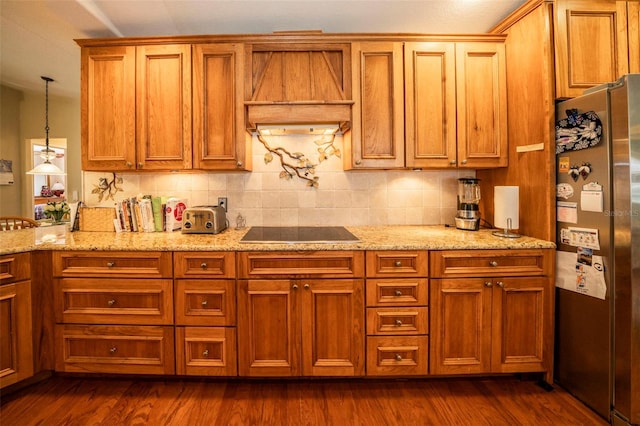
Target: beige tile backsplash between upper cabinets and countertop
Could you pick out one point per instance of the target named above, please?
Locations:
(343, 198)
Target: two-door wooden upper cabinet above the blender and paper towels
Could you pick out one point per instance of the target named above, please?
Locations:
(456, 104)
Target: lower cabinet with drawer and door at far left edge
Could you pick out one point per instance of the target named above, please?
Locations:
(16, 345)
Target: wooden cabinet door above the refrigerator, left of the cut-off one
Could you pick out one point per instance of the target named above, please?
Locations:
(591, 44)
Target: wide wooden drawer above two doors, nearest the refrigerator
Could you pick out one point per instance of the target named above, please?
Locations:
(491, 263)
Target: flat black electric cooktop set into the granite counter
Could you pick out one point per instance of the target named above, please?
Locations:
(299, 234)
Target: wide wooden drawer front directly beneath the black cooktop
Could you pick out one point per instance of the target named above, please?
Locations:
(325, 264)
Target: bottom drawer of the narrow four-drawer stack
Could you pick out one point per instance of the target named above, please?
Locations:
(397, 356)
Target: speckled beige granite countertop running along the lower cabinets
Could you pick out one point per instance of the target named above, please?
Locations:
(371, 238)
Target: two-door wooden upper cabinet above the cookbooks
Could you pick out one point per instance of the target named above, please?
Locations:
(136, 107)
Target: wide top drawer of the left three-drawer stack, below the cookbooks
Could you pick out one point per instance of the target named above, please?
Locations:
(136, 264)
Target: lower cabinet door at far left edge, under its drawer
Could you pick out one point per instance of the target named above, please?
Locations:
(16, 347)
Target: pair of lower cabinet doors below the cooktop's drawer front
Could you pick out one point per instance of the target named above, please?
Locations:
(301, 327)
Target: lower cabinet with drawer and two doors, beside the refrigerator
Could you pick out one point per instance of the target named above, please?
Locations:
(492, 311)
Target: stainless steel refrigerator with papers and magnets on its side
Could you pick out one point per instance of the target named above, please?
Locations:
(597, 355)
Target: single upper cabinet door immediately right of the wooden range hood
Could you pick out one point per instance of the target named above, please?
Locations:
(378, 112)
